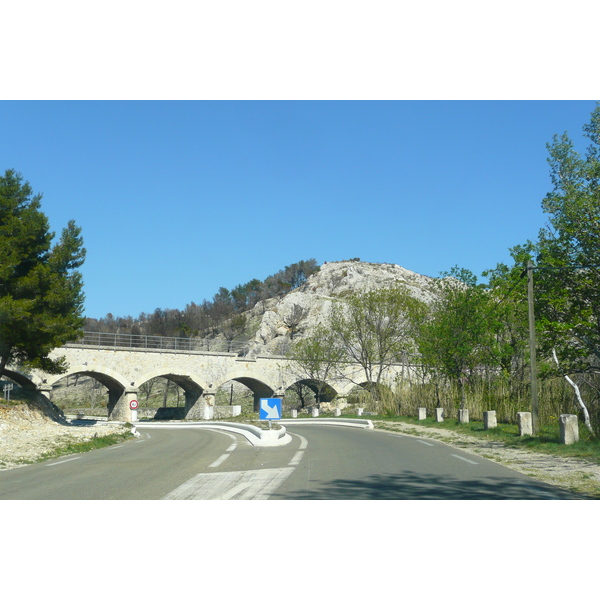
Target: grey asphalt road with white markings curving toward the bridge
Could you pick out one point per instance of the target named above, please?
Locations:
(321, 462)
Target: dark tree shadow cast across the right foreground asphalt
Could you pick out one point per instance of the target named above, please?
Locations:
(414, 486)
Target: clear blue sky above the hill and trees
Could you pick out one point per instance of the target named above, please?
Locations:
(179, 198)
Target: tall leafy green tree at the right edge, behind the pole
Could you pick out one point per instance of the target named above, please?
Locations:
(567, 275)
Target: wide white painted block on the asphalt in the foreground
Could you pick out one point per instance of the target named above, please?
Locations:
(238, 485)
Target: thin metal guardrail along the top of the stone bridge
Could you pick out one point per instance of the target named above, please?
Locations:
(156, 342)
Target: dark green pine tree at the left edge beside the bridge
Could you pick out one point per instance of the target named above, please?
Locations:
(41, 298)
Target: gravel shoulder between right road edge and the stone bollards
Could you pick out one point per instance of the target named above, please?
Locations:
(576, 475)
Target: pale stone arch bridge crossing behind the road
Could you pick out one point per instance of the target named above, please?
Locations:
(123, 368)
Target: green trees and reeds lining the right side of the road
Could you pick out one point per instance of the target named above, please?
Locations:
(471, 348)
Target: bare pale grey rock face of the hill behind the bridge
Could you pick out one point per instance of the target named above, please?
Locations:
(293, 316)
